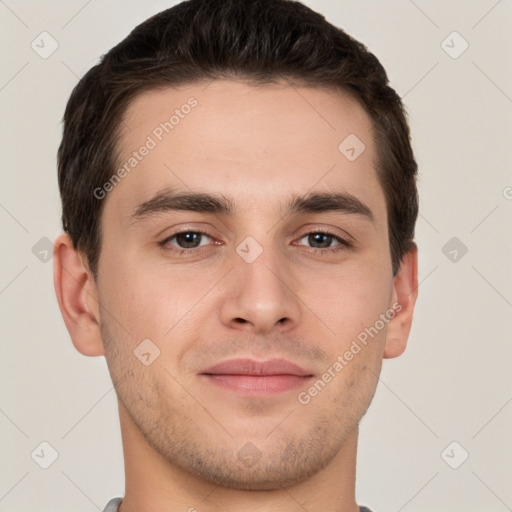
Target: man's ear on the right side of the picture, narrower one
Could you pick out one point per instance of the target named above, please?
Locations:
(405, 292)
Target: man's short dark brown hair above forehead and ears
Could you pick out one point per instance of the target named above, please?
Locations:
(261, 41)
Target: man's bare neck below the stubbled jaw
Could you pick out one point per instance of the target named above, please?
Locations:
(154, 483)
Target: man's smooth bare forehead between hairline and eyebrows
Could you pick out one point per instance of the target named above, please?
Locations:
(257, 144)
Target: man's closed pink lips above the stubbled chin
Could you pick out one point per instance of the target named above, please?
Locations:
(251, 377)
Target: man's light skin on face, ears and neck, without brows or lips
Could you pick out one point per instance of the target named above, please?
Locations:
(183, 437)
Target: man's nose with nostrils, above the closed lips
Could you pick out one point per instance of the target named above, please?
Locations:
(259, 297)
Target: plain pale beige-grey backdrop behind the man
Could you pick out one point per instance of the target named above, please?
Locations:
(454, 381)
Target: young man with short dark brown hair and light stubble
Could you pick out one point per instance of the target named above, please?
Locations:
(239, 203)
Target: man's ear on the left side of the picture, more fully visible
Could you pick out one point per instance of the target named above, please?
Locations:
(77, 295)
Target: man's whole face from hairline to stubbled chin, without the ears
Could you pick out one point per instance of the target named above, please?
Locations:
(251, 250)
